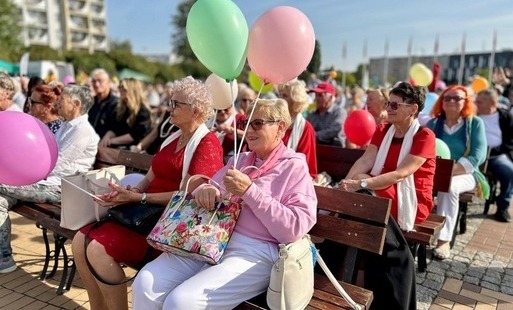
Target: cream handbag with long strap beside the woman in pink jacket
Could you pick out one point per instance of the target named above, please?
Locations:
(292, 278)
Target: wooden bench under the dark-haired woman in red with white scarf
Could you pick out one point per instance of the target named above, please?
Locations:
(337, 162)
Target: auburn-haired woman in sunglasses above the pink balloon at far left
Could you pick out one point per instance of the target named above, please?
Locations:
(41, 105)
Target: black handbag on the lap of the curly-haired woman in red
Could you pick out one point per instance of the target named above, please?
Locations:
(137, 217)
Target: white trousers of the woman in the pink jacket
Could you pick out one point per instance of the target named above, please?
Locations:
(180, 283)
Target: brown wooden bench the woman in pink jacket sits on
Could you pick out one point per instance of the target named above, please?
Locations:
(355, 221)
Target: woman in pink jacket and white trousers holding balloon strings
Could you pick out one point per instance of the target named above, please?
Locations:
(278, 206)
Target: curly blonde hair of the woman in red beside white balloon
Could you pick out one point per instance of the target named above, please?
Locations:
(197, 95)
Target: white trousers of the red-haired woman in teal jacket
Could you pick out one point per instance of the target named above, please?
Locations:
(448, 203)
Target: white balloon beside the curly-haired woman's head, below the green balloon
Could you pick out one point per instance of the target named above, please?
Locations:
(223, 93)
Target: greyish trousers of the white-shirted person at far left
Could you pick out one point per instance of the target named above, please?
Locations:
(9, 196)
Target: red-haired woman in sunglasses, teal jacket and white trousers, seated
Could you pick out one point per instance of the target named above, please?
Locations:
(455, 123)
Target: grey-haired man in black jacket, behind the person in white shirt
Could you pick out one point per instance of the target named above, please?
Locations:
(105, 103)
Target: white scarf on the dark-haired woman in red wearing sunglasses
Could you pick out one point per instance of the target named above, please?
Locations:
(406, 195)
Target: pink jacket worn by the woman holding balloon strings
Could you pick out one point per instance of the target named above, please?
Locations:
(280, 206)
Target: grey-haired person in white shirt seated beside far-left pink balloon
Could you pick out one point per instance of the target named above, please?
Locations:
(78, 144)
